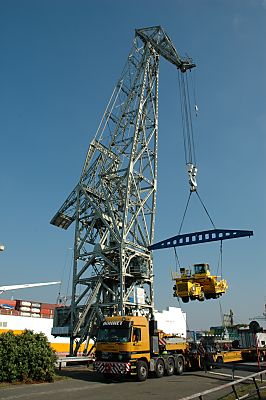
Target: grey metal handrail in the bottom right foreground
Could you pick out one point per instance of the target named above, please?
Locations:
(233, 384)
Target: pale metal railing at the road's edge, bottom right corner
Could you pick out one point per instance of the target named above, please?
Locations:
(256, 391)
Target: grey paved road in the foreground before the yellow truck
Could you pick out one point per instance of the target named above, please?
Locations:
(83, 384)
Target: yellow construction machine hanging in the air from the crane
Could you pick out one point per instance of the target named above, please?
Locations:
(199, 285)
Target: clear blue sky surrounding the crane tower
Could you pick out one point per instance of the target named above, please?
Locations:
(60, 61)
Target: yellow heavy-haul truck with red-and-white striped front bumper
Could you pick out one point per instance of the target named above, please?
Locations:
(132, 345)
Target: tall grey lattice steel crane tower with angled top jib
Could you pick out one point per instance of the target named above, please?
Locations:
(114, 203)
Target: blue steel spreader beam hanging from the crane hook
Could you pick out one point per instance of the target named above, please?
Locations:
(200, 237)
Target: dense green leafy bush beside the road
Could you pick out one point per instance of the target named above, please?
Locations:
(27, 357)
